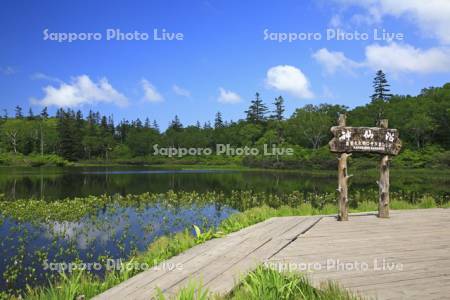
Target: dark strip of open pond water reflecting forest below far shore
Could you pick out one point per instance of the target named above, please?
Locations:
(58, 183)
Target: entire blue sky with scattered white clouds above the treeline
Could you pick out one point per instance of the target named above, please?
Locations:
(223, 58)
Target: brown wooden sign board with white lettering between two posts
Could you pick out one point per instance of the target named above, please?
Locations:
(365, 139)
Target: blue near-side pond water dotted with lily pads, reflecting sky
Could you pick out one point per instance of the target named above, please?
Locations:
(115, 232)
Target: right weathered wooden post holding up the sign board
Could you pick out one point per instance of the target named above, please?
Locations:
(383, 183)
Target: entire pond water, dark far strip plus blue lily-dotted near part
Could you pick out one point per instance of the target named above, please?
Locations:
(30, 239)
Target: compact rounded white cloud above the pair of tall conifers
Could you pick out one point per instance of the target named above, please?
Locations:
(289, 79)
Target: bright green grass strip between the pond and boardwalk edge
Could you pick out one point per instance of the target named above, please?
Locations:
(81, 283)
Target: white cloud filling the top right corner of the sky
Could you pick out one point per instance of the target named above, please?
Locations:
(431, 16)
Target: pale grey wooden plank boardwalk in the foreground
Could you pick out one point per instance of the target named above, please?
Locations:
(404, 257)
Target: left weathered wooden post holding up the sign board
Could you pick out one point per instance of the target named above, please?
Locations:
(343, 179)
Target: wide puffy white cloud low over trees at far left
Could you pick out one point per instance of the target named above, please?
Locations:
(80, 91)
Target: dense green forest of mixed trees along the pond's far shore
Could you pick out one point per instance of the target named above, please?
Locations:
(423, 122)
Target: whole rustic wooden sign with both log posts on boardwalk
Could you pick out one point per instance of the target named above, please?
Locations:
(380, 140)
